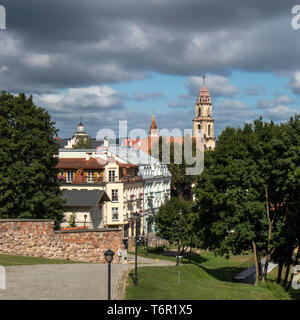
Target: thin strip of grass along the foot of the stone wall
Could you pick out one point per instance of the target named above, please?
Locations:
(9, 260)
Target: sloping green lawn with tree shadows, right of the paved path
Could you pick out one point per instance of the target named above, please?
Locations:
(207, 278)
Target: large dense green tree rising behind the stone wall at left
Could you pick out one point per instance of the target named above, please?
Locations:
(28, 178)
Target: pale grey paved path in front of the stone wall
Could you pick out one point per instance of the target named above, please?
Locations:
(68, 281)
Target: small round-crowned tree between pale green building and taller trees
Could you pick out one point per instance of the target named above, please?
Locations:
(169, 224)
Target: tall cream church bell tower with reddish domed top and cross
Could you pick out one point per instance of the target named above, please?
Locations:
(203, 118)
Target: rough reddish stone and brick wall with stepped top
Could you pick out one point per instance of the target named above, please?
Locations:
(37, 238)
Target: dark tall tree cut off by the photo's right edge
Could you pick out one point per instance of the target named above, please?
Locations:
(287, 239)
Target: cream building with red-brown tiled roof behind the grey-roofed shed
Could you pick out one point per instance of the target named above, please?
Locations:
(89, 169)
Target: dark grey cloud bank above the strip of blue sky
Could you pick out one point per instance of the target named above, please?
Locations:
(96, 42)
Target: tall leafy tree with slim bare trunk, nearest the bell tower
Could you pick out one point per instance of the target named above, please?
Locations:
(228, 197)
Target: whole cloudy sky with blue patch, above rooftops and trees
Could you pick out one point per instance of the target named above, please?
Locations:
(117, 60)
